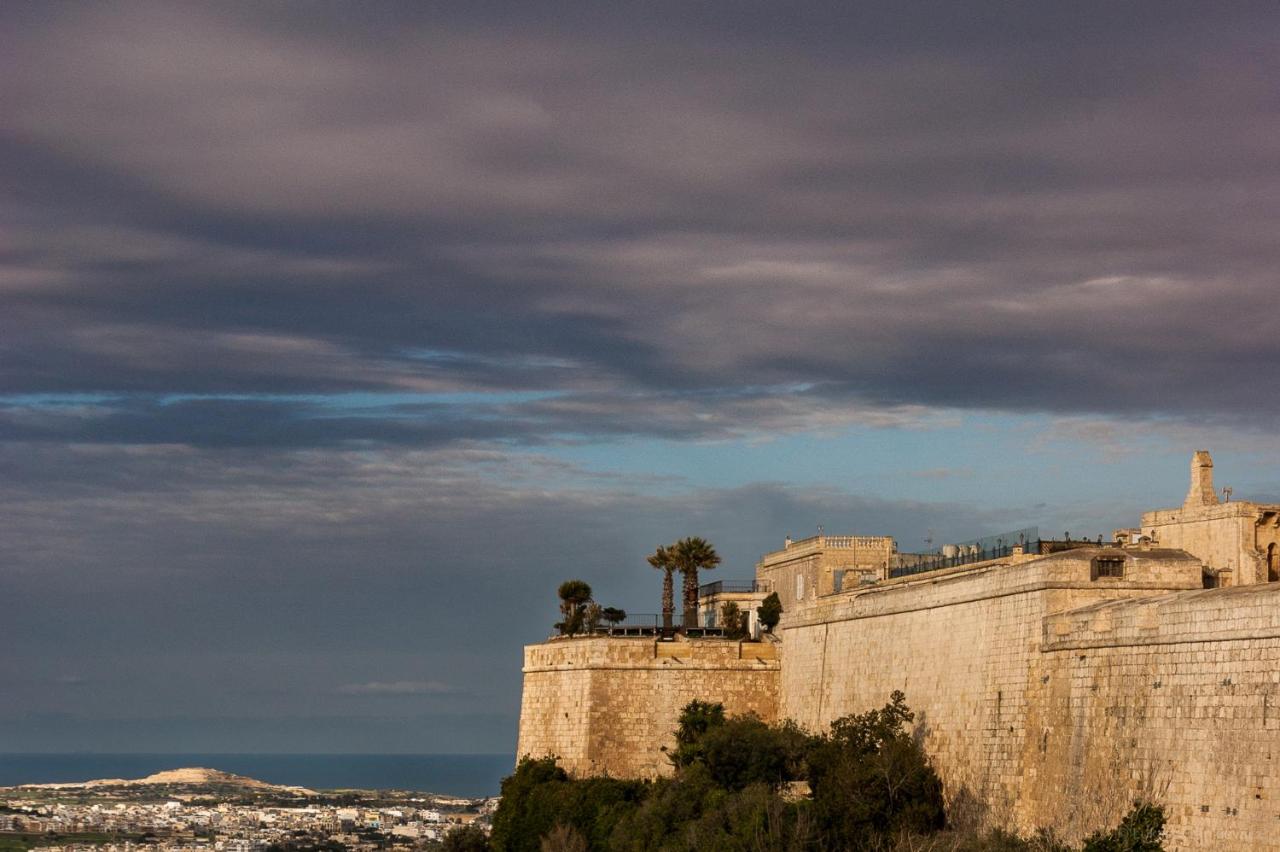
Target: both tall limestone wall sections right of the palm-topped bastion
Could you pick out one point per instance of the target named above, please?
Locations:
(1041, 712)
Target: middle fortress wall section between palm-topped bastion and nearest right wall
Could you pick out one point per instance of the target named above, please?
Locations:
(964, 645)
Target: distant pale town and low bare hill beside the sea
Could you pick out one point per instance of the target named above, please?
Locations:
(200, 810)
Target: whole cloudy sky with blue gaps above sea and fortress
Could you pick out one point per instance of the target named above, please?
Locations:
(333, 337)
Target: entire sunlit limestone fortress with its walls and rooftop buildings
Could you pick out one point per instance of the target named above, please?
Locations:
(1054, 682)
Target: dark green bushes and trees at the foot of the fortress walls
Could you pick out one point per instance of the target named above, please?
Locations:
(740, 787)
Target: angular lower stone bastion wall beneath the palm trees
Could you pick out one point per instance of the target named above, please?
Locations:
(610, 704)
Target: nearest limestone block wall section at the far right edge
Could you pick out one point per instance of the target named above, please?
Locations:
(1174, 698)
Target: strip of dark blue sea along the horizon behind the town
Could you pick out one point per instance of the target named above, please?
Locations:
(467, 776)
